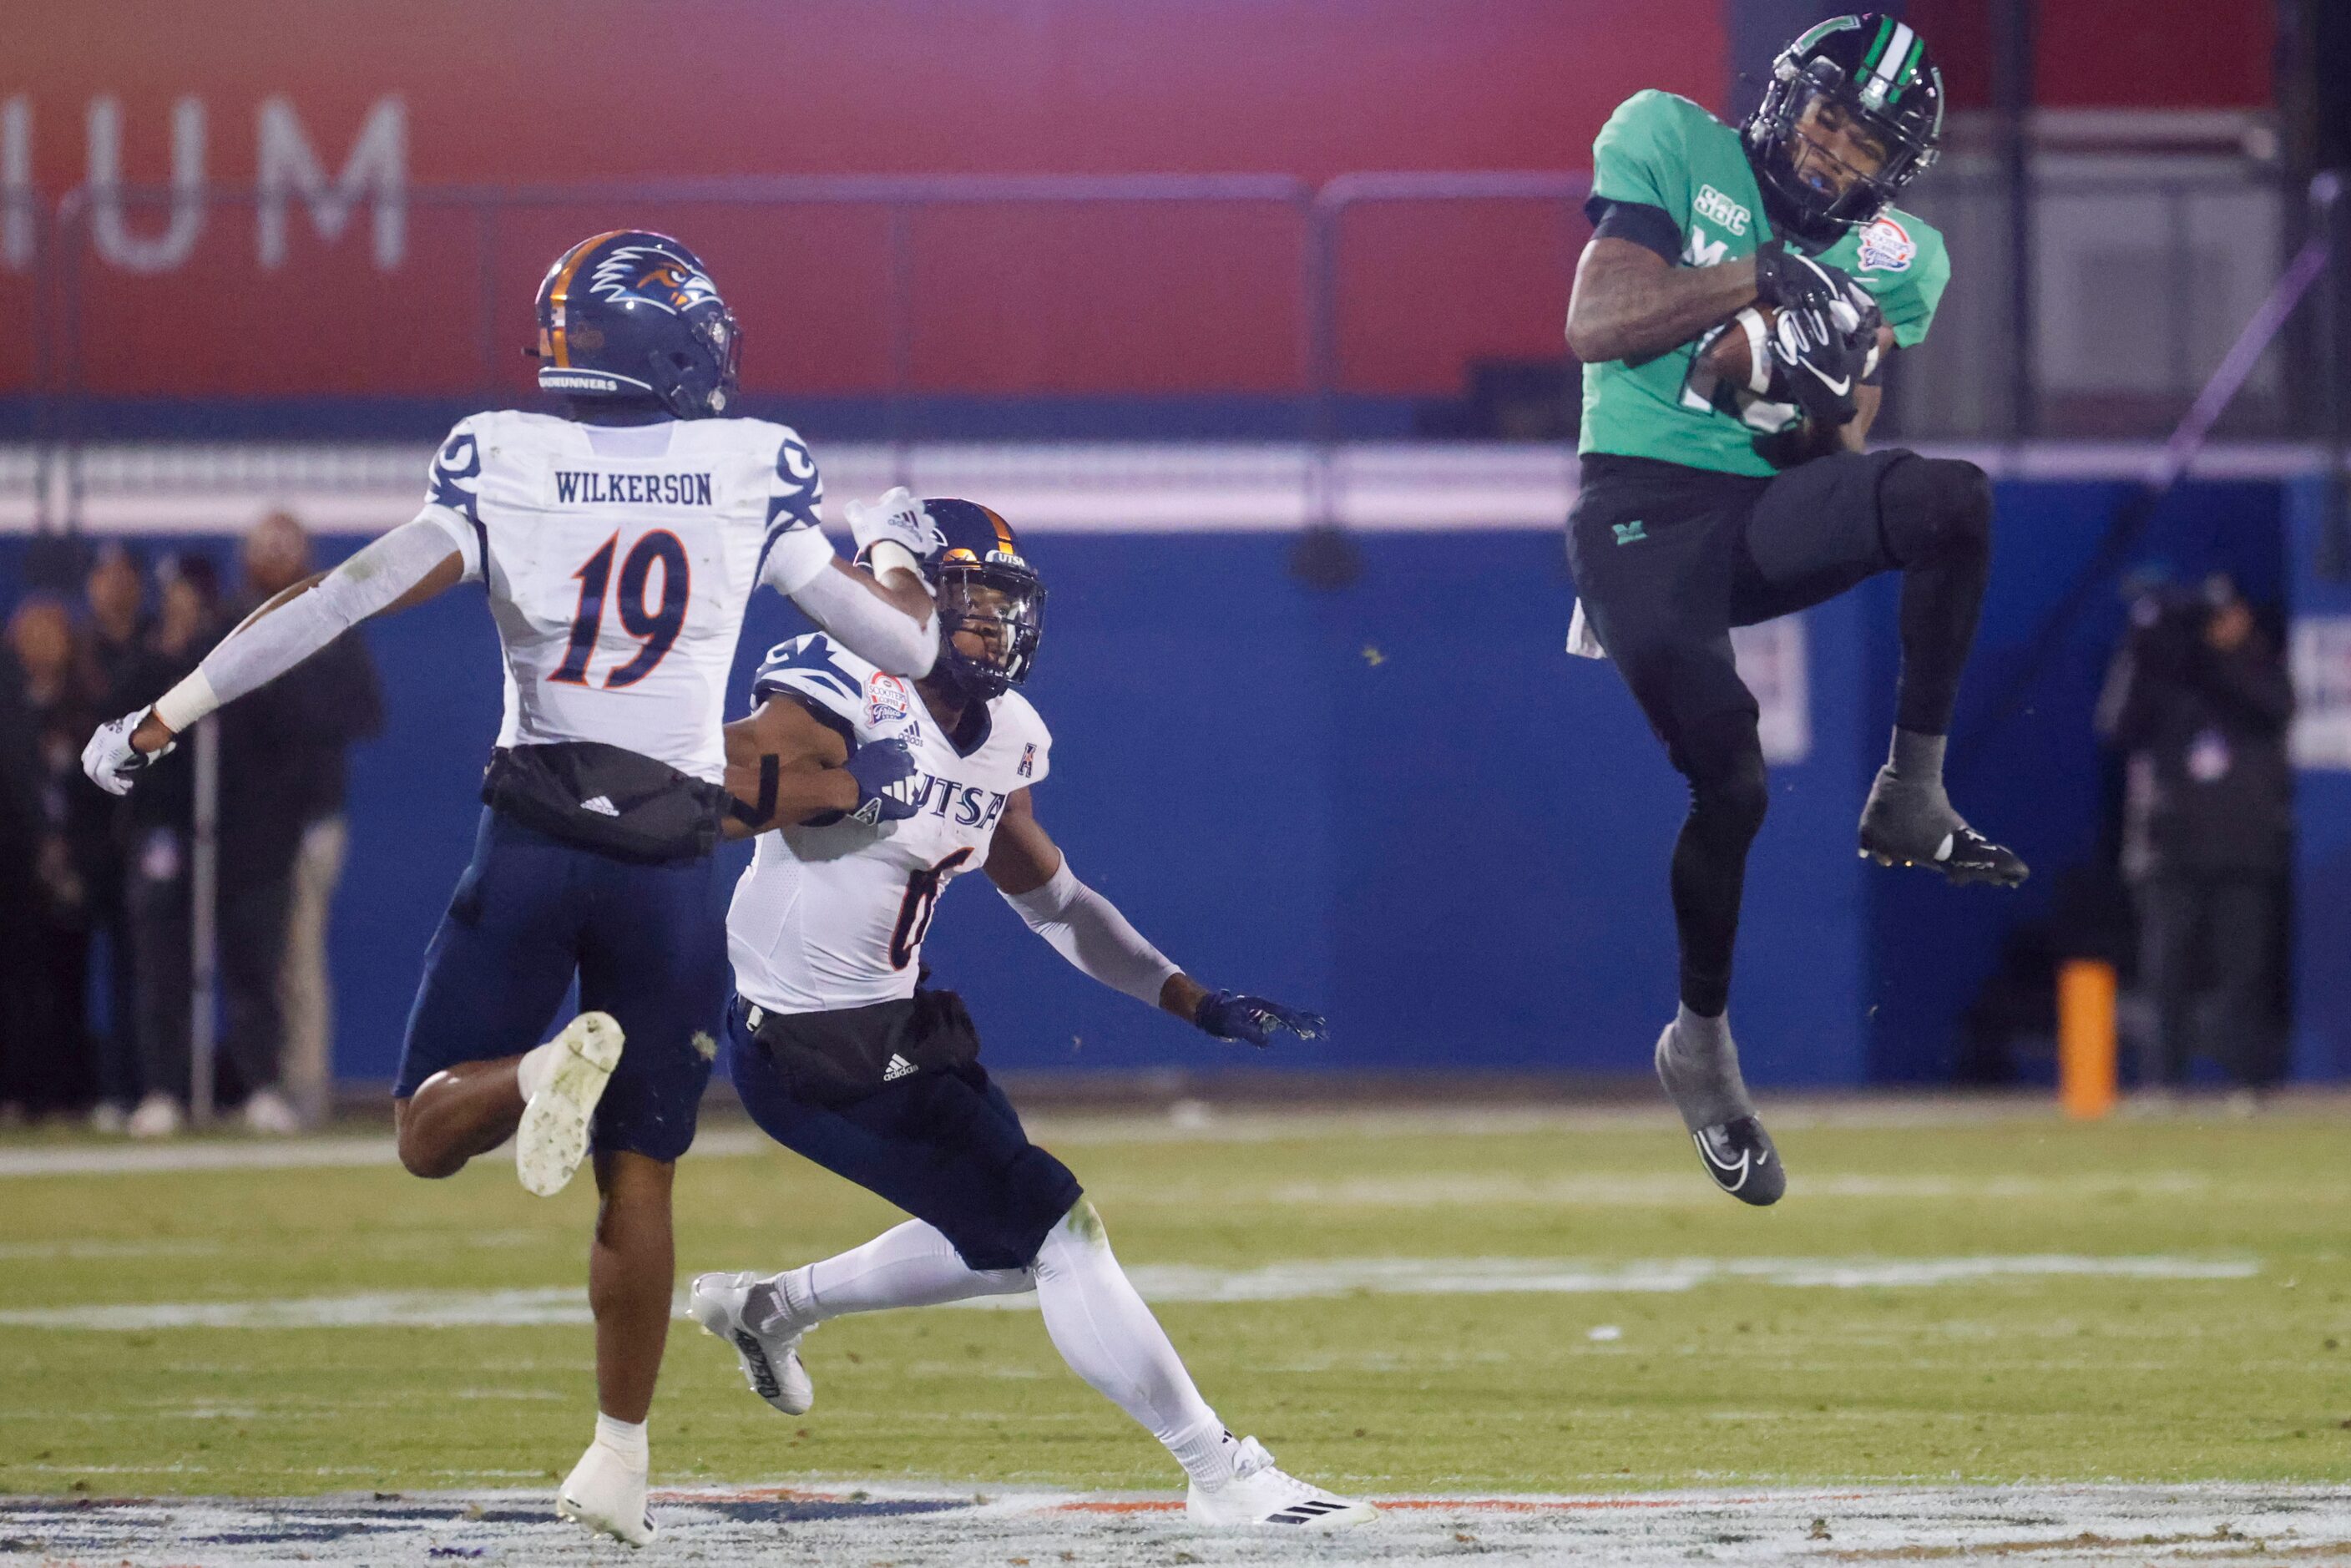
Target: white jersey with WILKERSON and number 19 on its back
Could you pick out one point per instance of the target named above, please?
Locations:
(619, 563)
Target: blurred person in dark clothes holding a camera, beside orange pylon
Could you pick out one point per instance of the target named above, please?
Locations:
(2199, 704)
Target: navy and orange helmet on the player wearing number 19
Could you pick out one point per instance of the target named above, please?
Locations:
(634, 314)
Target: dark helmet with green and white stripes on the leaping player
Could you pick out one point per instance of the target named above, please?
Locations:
(1870, 74)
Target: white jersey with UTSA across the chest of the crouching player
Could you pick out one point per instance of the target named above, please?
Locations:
(831, 918)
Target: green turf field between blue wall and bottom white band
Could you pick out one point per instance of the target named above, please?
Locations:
(2228, 1355)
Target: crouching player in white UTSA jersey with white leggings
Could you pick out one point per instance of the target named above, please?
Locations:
(845, 1057)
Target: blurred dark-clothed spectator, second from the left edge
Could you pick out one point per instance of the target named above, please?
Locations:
(112, 655)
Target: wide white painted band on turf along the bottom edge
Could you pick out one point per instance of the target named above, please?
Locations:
(843, 1522)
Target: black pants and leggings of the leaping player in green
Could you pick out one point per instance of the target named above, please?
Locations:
(1670, 558)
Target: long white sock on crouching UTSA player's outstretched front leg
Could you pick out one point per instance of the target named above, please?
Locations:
(1113, 1341)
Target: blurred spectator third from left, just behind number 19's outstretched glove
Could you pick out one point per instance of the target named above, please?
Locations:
(161, 824)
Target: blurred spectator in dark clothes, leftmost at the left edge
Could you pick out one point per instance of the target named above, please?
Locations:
(48, 1071)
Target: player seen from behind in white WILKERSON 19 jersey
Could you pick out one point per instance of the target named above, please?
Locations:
(619, 544)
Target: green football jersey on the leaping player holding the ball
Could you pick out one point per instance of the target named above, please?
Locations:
(1670, 154)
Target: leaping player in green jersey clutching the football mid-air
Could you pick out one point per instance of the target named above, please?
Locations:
(1715, 500)
